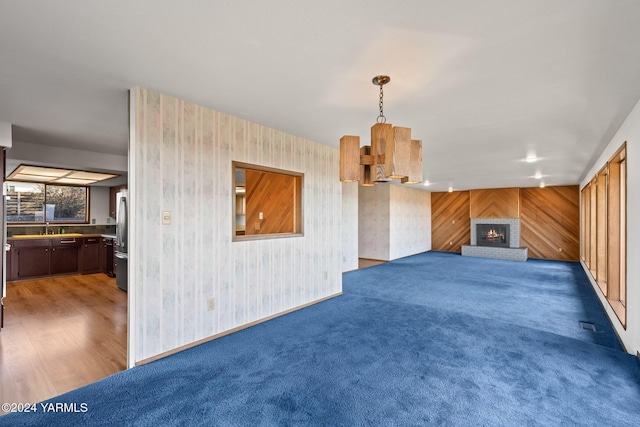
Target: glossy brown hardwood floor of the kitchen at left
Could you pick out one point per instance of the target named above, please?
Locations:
(59, 334)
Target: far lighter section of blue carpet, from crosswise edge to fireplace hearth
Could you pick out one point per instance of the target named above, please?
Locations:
(549, 296)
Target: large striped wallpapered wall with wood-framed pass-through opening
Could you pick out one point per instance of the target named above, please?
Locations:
(182, 156)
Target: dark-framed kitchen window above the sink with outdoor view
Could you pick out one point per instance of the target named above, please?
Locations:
(29, 202)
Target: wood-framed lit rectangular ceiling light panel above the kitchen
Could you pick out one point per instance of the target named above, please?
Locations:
(57, 175)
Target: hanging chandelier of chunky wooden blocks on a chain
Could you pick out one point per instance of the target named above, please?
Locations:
(392, 153)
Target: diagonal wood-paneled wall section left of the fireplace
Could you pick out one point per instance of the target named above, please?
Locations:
(450, 221)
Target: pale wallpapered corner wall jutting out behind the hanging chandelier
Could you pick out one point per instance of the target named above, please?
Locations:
(394, 221)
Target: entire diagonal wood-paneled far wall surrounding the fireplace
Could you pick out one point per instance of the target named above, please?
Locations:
(549, 218)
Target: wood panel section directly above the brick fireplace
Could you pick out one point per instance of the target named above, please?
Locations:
(494, 203)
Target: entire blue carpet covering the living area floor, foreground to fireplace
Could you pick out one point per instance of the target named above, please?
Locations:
(388, 353)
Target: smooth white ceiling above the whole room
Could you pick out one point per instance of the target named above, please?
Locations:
(482, 83)
